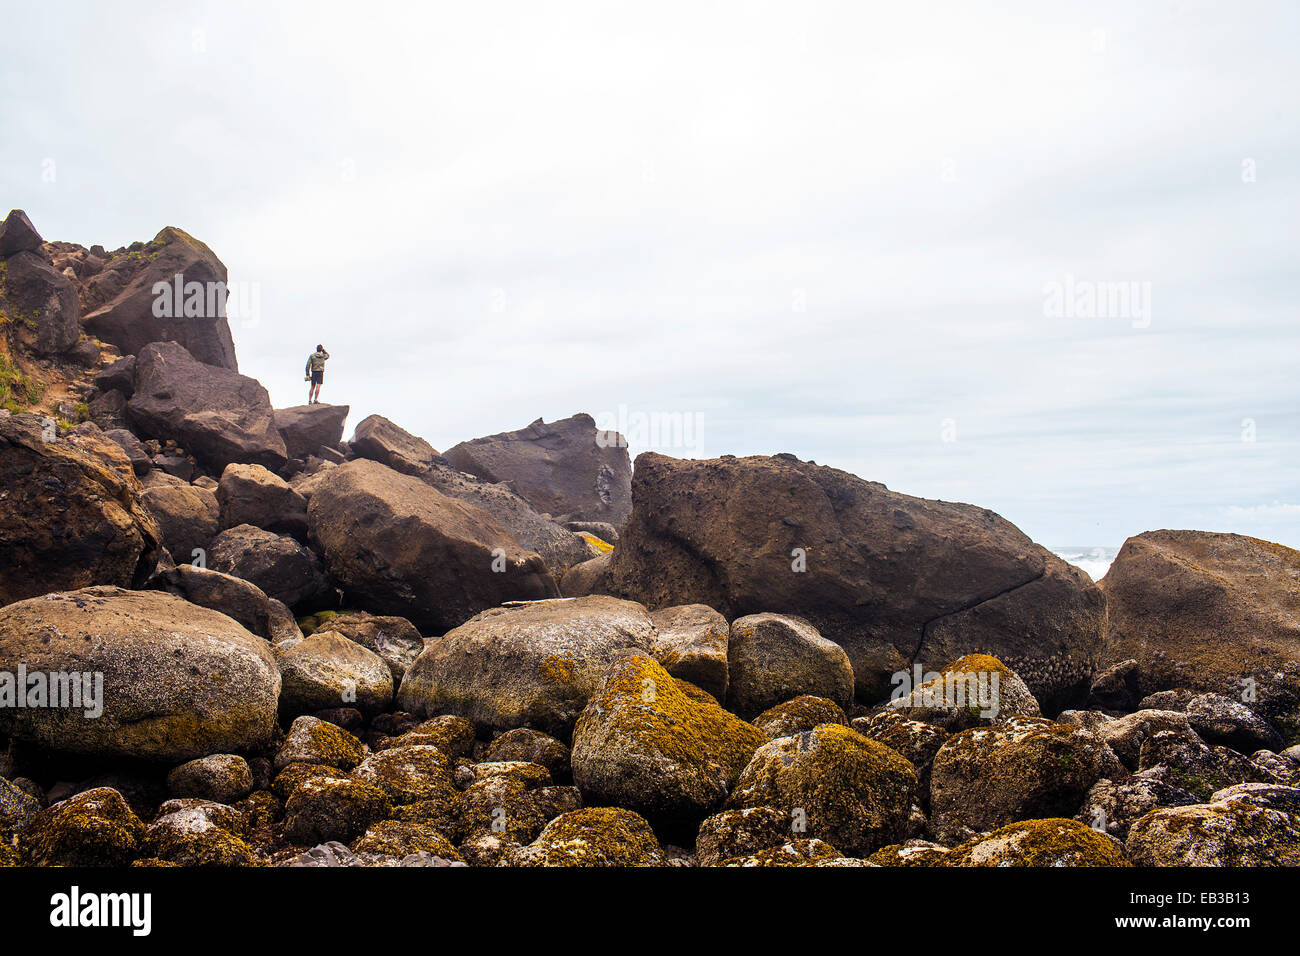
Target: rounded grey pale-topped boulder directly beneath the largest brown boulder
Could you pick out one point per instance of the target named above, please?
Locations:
(773, 659)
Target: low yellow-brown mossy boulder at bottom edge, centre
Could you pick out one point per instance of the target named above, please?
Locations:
(592, 837)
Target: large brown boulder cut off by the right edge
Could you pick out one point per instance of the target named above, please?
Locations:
(1212, 613)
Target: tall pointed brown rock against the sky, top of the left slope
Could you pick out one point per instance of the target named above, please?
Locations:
(123, 306)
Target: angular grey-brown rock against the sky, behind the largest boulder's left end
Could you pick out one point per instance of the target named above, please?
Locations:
(565, 469)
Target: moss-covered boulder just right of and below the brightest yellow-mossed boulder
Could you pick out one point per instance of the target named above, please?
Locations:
(852, 793)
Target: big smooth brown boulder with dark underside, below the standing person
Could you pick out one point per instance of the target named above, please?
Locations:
(400, 547)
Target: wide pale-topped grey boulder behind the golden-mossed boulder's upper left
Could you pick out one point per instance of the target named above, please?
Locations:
(534, 667)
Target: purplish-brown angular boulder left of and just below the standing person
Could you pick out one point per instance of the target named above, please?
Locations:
(216, 414)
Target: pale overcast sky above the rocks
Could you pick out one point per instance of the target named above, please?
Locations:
(830, 230)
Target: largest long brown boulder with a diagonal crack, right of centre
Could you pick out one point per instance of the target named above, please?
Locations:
(891, 578)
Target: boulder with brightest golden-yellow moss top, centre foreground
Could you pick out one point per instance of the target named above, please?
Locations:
(645, 745)
